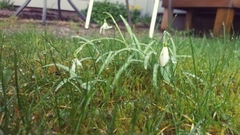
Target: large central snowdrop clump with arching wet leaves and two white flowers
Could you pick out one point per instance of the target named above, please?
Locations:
(141, 53)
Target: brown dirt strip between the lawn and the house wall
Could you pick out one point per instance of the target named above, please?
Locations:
(69, 25)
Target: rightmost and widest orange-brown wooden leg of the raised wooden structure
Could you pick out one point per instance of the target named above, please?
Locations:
(223, 20)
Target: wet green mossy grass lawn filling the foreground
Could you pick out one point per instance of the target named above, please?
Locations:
(120, 87)
